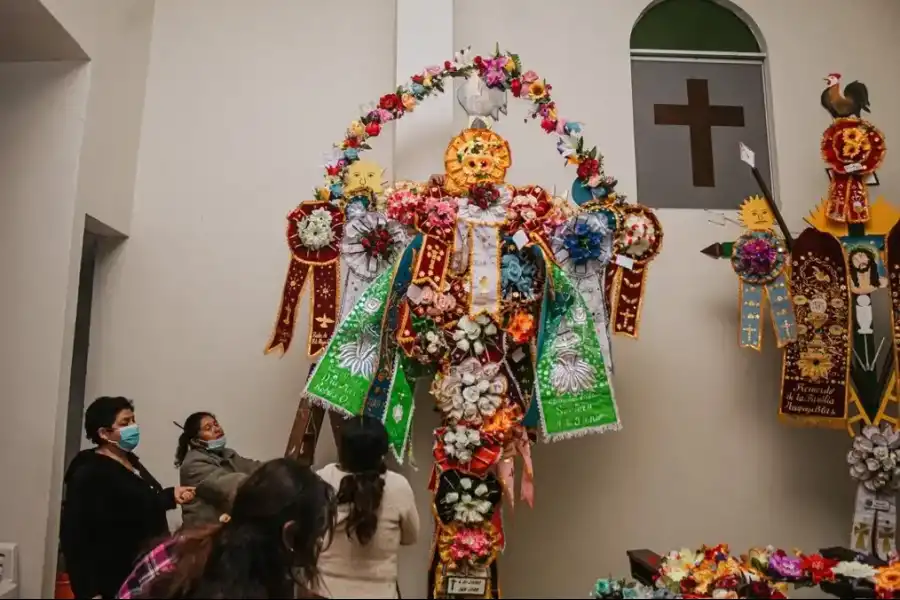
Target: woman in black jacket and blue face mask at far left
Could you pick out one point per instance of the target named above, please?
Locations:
(114, 509)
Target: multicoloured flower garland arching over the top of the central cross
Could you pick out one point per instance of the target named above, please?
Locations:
(501, 71)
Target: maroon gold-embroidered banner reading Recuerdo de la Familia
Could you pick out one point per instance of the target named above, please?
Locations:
(814, 382)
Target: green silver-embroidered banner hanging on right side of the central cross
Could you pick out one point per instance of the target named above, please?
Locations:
(573, 392)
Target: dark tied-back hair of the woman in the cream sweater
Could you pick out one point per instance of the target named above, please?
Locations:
(363, 445)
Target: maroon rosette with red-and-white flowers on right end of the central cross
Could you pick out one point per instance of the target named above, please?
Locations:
(638, 242)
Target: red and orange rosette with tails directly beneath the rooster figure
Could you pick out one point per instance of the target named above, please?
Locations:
(853, 149)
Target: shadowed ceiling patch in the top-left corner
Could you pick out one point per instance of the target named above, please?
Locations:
(28, 32)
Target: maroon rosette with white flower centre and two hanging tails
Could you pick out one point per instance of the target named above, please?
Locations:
(314, 234)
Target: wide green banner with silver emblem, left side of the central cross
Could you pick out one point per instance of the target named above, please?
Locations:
(343, 376)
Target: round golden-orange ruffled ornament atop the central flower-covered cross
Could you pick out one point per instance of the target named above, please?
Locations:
(474, 156)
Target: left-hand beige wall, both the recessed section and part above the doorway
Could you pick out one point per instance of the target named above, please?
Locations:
(69, 147)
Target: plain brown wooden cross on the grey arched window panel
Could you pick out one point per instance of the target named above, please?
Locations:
(701, 118)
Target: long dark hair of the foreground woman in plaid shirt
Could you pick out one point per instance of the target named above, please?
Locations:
(254, 555)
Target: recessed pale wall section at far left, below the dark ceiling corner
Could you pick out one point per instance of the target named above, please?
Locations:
(42, 109)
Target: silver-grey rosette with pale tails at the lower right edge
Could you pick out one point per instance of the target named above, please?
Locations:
(874, 462)
